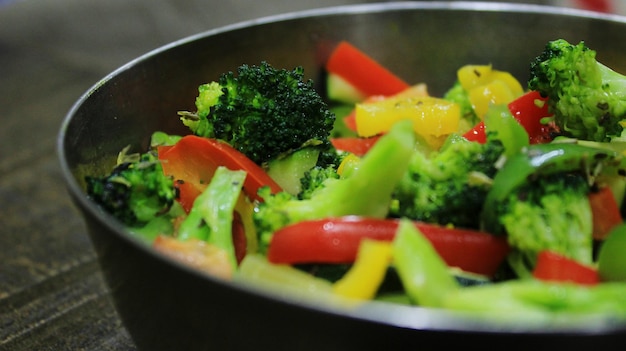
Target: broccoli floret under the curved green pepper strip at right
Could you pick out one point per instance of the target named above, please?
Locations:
(549, 213)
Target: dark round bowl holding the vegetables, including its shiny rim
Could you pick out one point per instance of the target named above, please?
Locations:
(167, 306)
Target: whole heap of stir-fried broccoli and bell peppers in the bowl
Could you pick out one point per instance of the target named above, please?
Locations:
(412, 197)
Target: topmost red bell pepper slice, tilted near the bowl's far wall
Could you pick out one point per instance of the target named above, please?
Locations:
(363, 72)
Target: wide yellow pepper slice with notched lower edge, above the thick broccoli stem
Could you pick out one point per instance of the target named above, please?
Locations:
(431, 116)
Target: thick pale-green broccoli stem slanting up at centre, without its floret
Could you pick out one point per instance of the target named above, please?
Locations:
(368, 190)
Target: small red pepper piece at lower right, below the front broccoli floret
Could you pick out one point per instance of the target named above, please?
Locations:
(554, 267)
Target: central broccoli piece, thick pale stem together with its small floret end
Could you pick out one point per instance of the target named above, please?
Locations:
(366, 192)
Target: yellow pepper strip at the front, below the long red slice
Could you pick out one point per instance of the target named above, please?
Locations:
(368, 271)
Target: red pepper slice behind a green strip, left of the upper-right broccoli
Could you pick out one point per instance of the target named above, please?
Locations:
(528, 112)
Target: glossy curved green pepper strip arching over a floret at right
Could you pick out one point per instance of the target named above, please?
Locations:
(543, 159)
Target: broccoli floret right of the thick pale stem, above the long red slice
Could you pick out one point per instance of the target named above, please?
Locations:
(450, 185)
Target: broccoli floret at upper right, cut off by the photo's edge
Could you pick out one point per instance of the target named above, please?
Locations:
(587, 98)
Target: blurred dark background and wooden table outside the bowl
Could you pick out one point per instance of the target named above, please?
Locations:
(52, 296)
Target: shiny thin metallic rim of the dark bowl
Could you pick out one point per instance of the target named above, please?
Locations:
(412, 317)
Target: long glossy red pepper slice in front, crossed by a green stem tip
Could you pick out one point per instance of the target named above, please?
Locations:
(336, 240)
